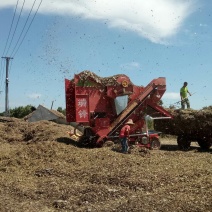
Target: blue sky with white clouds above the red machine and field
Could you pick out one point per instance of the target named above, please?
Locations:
(141, 39)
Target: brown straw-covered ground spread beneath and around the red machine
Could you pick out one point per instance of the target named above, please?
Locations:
(43, 169)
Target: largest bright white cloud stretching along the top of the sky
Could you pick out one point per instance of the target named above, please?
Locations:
(155, 20)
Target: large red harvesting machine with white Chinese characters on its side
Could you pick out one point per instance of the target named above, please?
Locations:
(100, 106)
